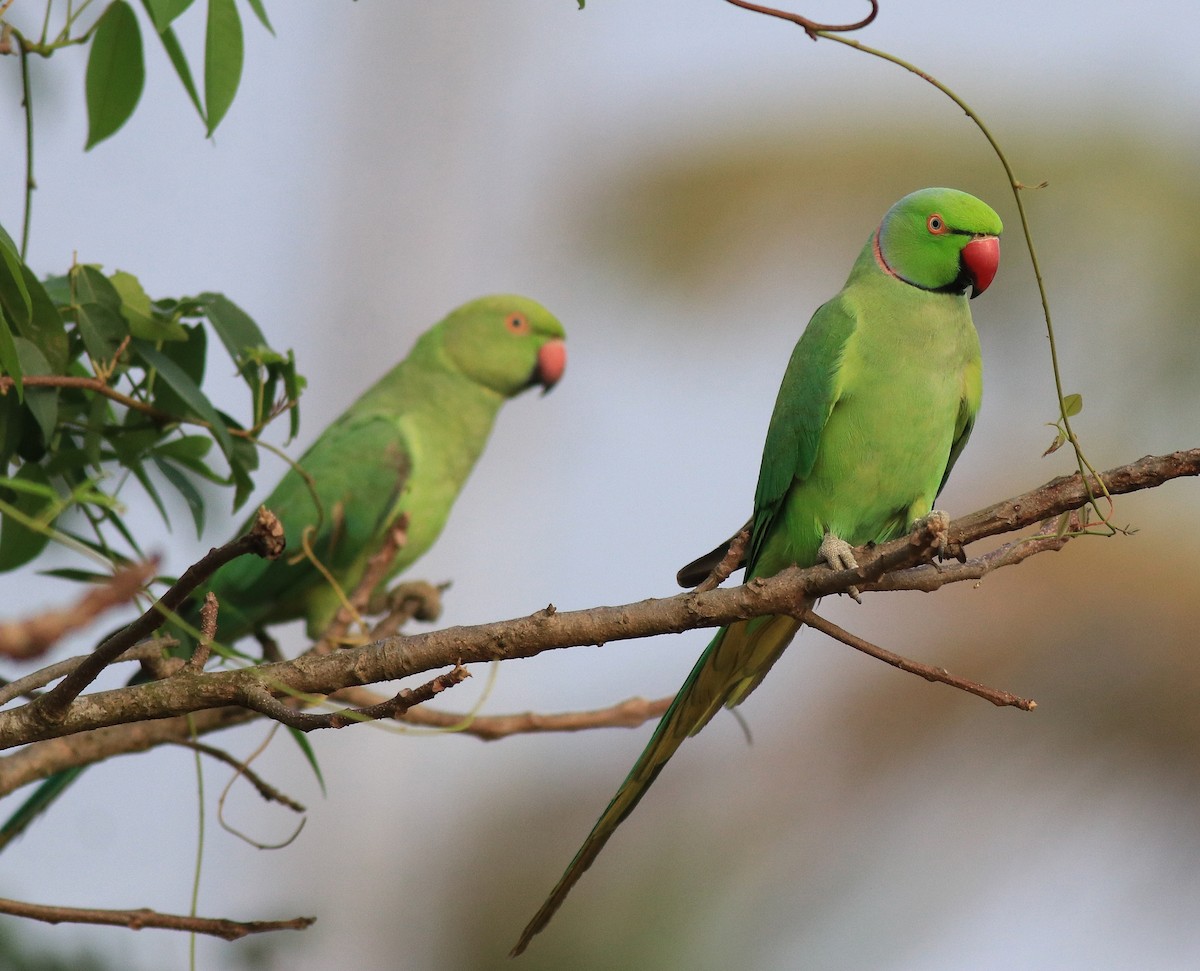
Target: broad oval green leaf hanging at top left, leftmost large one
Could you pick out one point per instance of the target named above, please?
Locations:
(116, 73)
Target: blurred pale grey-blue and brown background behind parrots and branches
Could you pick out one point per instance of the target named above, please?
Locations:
(682, 183)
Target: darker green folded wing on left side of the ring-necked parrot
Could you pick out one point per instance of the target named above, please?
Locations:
(808, 394)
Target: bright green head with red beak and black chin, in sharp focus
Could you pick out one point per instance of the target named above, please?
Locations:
(943, 241)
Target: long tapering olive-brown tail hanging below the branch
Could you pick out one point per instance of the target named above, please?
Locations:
(731, 668)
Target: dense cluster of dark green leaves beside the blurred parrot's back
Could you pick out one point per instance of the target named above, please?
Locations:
(100, 385)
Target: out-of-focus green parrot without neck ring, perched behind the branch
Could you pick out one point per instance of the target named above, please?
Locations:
(405, 448)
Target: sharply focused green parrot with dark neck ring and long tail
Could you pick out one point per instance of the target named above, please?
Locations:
(875, 407)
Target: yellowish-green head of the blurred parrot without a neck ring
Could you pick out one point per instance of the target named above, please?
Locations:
(507, 344)
